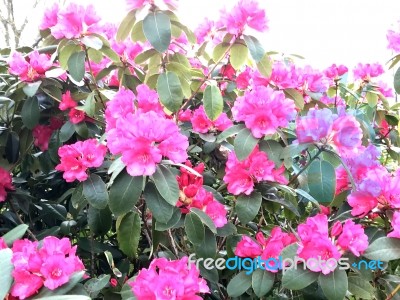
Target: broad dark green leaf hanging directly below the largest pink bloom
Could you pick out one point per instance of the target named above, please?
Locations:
(125, 193)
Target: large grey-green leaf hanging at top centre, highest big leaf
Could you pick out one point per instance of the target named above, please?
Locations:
(157, 29)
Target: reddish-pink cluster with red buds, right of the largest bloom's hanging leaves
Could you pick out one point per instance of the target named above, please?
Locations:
(193, 194)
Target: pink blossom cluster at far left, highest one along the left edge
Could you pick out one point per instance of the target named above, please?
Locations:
(29, 68)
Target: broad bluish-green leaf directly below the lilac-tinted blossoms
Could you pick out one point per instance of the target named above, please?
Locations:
(321, 178)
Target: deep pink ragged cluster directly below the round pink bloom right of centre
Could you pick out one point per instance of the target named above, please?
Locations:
(242, 175)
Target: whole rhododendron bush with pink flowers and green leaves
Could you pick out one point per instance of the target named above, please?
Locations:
(134, 155)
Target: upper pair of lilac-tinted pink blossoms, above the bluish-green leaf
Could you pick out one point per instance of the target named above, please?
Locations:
(341, 131)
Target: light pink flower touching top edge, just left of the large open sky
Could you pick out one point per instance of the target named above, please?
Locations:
(244, 13)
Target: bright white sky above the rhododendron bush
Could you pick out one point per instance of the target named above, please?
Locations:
(323, 31)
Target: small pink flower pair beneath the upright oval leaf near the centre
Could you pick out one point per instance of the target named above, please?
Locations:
(202, 124)
